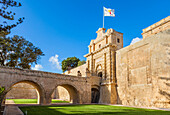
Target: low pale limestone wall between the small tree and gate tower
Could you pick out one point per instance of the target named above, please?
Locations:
(74, 71)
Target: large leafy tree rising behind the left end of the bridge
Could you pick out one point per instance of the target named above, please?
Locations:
(18, 52)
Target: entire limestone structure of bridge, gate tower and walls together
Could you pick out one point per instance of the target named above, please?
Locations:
(137, 75)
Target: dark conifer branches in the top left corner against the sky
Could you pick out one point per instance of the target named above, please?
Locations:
(5, 28)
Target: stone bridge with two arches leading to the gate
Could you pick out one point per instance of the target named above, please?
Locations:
(79, 88)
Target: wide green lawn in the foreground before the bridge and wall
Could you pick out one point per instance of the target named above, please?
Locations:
(89, 110)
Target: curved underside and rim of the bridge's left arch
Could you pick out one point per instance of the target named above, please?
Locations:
(36, 85)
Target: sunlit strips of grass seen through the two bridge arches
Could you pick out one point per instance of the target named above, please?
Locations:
(34, 101)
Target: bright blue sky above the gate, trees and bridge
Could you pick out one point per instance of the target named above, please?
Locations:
(64, 28)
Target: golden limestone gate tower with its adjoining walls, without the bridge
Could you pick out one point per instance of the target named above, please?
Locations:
(137, 75)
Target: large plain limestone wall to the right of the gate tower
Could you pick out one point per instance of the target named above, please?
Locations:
(143, 72)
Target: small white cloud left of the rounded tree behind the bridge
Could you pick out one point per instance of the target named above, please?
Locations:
(54, 60)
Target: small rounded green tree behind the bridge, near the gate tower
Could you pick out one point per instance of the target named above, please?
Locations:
(70, 63)
